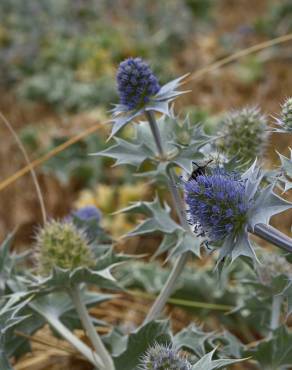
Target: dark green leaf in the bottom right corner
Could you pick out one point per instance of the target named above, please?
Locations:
(274, 353)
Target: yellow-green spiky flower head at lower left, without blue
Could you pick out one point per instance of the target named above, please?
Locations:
(62, 244)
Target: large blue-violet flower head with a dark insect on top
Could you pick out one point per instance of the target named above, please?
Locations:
(217, 204)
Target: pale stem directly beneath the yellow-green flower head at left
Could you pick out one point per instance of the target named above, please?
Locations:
(90, 329)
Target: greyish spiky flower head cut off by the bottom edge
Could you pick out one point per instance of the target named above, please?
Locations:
(161, 357)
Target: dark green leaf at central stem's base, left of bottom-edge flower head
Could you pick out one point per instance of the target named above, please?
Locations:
(139, 341)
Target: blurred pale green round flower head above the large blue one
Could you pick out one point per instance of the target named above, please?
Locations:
(244, 134)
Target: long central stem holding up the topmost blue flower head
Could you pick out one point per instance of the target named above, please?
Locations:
(181, 261)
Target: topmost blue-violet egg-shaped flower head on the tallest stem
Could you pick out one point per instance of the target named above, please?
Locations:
(136, 83)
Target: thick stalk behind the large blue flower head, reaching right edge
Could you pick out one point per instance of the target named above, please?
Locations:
(274, 236)
